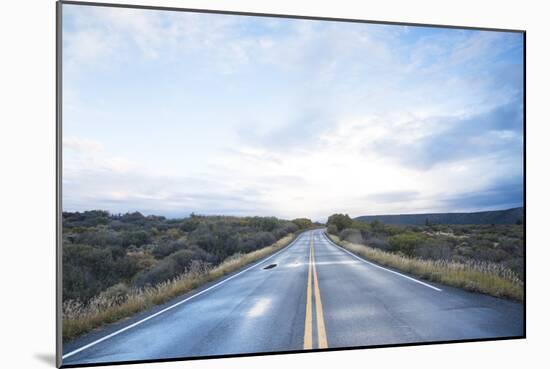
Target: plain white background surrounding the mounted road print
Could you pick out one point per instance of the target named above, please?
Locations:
(27, 186)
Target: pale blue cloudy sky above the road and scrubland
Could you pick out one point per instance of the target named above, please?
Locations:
(169, 113)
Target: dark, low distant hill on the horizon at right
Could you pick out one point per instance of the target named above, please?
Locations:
(510, 216)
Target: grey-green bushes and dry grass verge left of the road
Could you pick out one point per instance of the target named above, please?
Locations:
(117, 265)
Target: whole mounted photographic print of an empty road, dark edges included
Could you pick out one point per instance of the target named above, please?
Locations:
(243, 184)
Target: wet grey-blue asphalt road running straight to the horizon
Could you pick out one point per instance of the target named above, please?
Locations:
(317, 296)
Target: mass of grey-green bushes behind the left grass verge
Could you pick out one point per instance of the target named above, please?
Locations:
(101, 250)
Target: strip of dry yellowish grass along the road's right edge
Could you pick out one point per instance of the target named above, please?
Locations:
(484, 277)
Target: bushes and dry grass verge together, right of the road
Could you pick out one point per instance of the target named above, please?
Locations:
(479, 258)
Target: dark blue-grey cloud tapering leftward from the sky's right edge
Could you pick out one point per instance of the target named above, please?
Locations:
(498, 131)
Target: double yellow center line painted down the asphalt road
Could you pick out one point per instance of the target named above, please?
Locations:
(313, 288)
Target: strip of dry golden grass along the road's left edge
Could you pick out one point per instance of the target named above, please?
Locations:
(79, 318)
